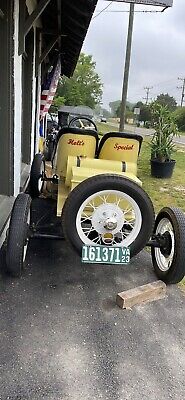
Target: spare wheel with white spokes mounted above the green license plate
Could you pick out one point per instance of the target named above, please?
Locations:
(108, 210)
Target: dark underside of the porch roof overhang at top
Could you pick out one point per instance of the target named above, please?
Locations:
(70, 21)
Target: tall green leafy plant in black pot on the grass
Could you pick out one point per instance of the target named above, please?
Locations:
(162, 144)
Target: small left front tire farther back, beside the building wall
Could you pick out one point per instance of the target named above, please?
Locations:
(38, 166)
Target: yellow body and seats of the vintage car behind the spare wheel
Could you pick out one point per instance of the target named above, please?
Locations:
(76, 162)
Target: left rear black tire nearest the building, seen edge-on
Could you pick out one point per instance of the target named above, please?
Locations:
(17, 234)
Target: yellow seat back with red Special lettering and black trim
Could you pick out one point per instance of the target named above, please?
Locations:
(120, 147)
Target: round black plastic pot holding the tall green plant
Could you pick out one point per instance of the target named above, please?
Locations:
(162, 169)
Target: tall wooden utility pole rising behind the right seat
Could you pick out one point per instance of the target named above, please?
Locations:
(127, 67)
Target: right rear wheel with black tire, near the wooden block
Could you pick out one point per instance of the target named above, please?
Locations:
(176, 271)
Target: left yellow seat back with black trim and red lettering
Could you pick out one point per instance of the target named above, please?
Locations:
(74, 142)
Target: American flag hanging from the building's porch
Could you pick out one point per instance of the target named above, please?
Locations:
(49, 88)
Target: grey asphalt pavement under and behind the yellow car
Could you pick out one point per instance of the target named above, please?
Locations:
(63, 337)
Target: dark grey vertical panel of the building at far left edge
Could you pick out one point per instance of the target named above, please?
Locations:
(6, 98)
